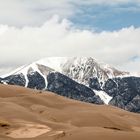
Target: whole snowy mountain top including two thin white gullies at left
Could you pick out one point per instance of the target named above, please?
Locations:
(80, 69)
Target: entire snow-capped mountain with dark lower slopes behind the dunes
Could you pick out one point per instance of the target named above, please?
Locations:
(82, 79)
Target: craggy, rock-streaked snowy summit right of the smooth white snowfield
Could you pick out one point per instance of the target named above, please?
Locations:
(81, 69)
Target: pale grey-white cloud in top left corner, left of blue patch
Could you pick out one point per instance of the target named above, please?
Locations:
(32, 12)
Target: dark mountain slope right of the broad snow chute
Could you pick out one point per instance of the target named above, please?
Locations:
(125, 92)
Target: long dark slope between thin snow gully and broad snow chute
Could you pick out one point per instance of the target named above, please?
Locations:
(65, 86)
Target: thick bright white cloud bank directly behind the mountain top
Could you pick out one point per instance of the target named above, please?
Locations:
(60, 38)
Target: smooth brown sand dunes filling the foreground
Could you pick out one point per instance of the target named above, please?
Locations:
(28, 114)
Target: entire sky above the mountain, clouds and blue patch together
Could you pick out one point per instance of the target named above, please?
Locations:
(108, 30)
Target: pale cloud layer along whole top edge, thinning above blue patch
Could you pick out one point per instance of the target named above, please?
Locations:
(35, 12)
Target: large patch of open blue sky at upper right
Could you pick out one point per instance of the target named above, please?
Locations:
(107, 17)
